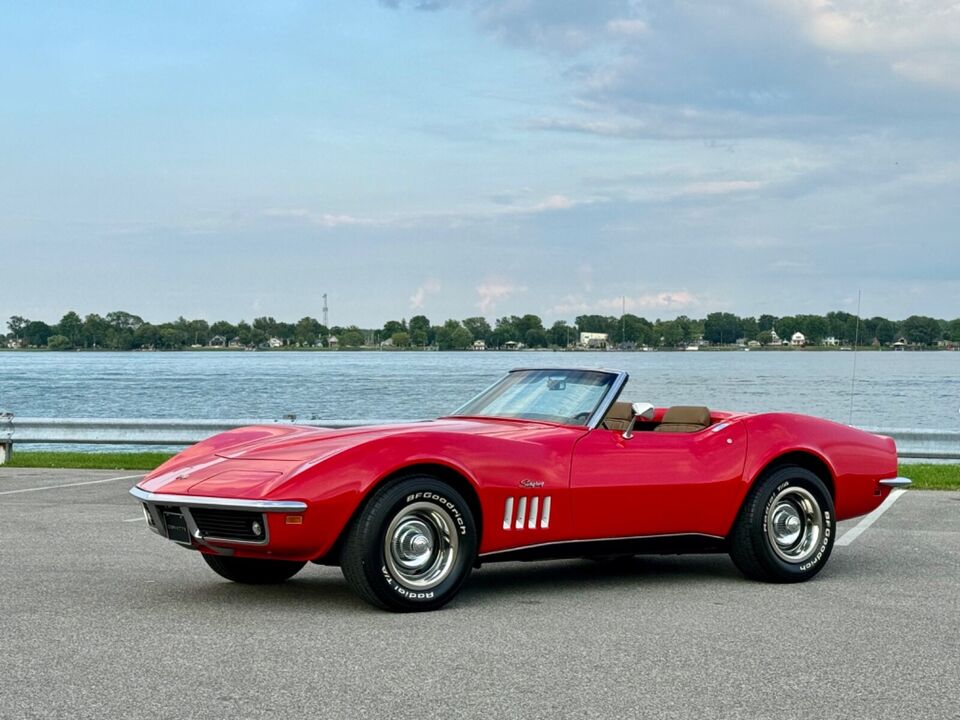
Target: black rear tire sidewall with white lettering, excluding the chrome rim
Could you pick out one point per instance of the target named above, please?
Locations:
(777, 481)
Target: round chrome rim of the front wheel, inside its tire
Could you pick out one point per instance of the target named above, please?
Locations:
(421, 545)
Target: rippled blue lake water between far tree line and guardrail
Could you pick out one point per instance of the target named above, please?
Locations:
(893, 390)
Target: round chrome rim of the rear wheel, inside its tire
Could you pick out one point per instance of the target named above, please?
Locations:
(795, 524)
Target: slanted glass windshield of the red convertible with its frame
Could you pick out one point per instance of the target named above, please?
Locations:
(569, 397)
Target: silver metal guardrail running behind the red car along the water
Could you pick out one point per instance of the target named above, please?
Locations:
(912, 444)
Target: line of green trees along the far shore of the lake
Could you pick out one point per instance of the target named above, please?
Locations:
(124, 331)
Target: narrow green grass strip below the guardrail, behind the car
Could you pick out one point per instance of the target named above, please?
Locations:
(925, 477)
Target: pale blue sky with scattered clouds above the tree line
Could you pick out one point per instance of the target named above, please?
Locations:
(455, 158)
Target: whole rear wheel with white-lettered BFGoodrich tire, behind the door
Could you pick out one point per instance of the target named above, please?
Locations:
(786, 527)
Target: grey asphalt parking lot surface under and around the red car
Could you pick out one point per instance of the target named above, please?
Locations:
(101, 618)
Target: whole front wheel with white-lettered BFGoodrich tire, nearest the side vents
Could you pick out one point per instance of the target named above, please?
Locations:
(412, 546)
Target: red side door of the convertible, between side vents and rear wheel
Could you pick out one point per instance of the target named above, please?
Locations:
(657, 483)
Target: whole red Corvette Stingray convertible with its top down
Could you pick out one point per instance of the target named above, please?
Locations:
(546, 463)
